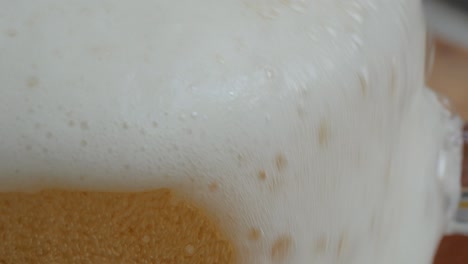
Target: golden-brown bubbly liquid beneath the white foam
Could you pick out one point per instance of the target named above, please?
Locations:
(96, 227)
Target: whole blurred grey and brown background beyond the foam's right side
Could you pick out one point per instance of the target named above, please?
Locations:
(448, 25)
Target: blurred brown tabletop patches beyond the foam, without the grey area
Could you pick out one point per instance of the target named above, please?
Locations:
(450, 77)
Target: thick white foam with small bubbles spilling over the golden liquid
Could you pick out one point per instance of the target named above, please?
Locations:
(308, 115)
